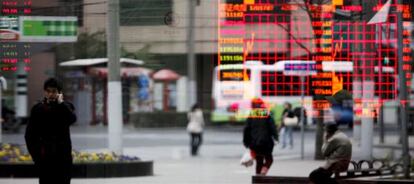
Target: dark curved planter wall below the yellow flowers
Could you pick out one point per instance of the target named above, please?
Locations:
(84, 170)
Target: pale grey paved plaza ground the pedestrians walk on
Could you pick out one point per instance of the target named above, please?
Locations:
(168, 148)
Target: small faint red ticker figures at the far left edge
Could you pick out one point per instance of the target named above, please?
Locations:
(13, 54)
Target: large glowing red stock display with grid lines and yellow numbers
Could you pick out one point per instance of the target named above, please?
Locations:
(346, 51)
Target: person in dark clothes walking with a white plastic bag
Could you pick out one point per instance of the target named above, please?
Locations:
(259, 136)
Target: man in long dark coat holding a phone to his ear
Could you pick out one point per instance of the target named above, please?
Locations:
(48, 136)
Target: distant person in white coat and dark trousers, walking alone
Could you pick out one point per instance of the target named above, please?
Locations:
(195, 128)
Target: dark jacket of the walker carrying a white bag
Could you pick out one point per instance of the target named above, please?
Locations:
(259, 134)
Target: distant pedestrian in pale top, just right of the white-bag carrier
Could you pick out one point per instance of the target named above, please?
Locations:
(289, 121)
